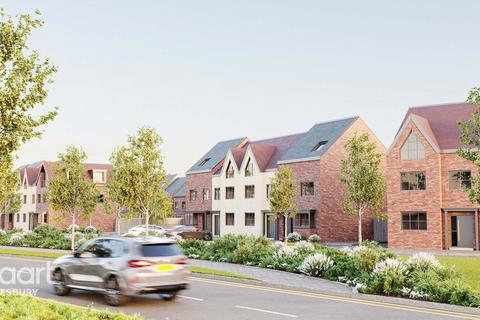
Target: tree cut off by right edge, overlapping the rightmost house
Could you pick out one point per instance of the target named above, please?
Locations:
(470, 137)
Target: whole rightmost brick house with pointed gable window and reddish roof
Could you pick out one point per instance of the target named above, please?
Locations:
(427, 207)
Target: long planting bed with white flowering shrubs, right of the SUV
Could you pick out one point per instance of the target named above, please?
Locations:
(368, 267)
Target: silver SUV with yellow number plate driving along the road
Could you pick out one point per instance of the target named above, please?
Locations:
(123, 267)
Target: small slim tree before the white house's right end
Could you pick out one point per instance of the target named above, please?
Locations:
(283, 195)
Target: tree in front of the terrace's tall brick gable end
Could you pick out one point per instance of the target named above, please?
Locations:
(363, 180)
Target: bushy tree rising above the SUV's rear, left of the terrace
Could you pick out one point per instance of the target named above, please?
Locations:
(138, 176)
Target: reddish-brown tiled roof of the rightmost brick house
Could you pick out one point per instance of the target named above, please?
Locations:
(440, 122)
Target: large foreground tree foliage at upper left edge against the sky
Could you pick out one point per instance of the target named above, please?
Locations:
(23, 80)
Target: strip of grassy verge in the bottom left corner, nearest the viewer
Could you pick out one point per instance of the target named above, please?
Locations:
(14, 306)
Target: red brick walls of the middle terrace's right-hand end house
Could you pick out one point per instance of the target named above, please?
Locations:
(331, 223)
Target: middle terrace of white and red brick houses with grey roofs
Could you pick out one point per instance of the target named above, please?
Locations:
(241, 174)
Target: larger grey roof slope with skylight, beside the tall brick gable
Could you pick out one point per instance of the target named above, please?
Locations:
(326, 132)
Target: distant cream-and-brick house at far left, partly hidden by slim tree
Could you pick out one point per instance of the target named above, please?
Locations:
(34, 209)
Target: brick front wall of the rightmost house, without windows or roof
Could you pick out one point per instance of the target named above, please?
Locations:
(433, 200)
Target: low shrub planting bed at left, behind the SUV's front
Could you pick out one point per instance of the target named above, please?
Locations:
(46, 237)
